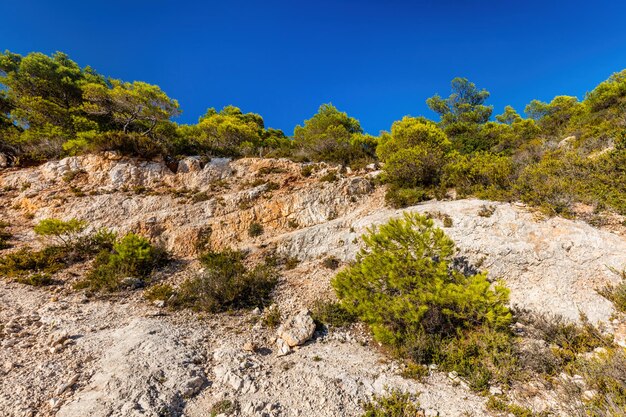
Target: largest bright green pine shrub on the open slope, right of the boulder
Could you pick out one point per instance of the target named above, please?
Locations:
(404, 287)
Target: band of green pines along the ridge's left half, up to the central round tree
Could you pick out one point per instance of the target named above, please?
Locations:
(51, 107)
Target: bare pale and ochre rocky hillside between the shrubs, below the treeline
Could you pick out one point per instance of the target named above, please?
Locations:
(64, 354)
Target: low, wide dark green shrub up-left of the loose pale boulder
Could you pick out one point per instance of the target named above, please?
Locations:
(226, 283)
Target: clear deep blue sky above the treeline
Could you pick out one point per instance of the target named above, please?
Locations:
(377, 60)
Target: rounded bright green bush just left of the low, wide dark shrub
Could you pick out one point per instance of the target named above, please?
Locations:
(129, 263)
